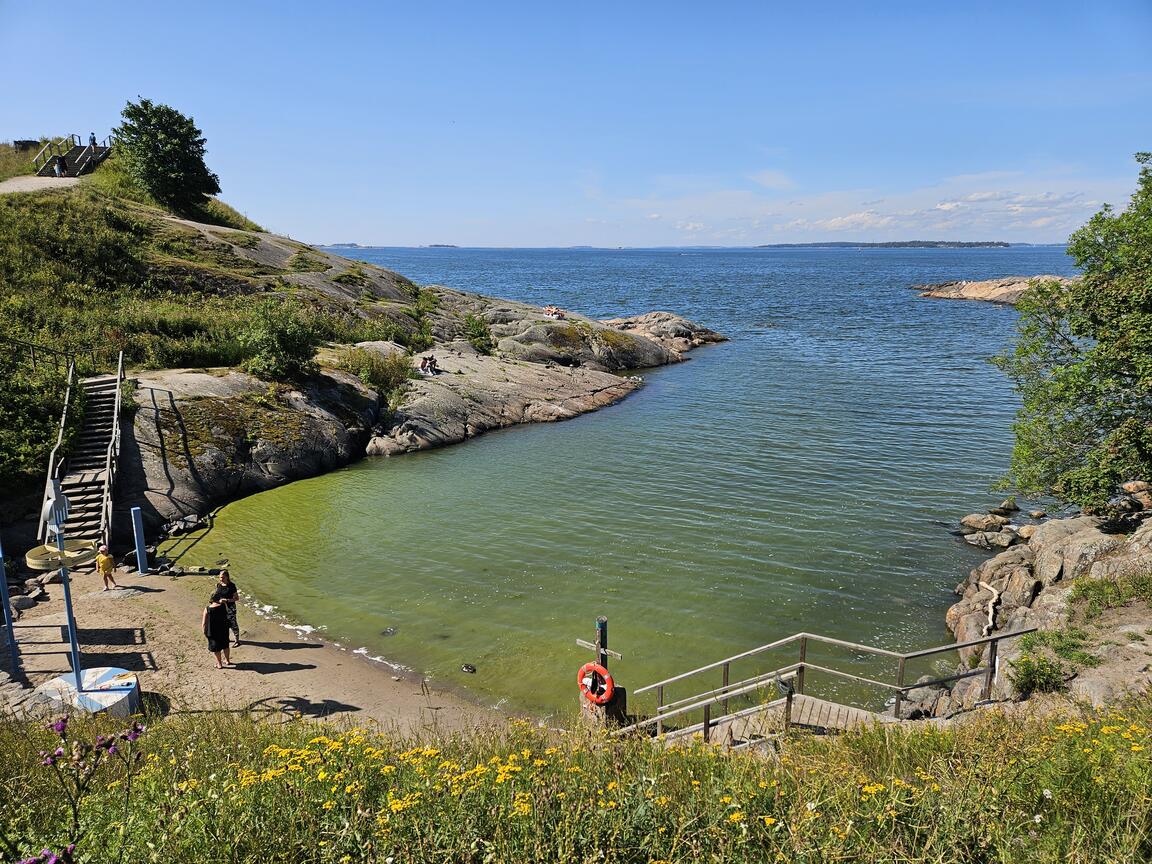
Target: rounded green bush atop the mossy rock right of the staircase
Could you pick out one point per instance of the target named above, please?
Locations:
(281, 342)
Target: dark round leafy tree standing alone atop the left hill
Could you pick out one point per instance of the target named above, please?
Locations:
(164, 151)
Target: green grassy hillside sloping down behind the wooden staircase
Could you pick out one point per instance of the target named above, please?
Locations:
(98, 268)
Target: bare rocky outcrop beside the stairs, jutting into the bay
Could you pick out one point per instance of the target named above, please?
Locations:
(203, 438)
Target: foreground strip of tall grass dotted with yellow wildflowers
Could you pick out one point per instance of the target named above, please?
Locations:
(217, 786)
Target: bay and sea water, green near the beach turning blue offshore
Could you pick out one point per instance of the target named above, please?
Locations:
(802, 478)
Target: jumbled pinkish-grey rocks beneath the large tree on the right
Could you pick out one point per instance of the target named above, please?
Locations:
(1033, 581)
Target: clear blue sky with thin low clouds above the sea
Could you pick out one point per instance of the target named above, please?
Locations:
(638, 124)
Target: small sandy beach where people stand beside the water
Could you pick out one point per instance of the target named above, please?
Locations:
(153, 627)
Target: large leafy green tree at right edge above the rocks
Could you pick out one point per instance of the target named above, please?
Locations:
(1083, 362)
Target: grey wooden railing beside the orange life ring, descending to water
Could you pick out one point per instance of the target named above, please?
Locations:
(791, 680)
